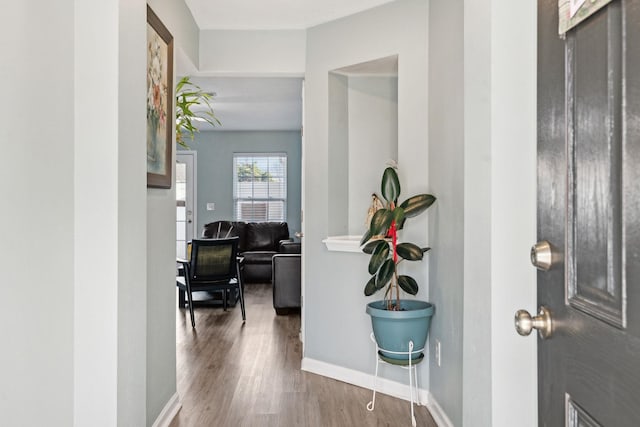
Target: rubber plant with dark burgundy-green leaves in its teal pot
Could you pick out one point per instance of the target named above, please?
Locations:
(395, 321)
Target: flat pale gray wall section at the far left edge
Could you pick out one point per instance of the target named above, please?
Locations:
(37, 334)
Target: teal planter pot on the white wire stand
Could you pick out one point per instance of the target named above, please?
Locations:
(394, 329)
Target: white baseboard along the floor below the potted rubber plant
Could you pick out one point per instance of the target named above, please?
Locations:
(385, 386)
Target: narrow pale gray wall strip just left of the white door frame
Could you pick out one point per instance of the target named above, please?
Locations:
(477, 370)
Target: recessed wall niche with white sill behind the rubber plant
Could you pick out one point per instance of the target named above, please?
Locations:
(363, 138)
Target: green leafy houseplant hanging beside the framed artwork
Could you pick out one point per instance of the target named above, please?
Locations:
(188, 96)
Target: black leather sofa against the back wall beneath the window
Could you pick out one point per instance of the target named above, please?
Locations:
(259, 242)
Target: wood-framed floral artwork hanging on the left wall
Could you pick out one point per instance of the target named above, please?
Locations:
(160, 116)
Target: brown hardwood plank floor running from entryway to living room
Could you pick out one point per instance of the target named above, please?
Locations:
(230, 374)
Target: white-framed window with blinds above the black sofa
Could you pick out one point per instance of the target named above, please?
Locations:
(260, 187)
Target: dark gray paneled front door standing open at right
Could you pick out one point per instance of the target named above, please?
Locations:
(589, 210)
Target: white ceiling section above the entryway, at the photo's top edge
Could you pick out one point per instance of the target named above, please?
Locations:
(273, 14)
